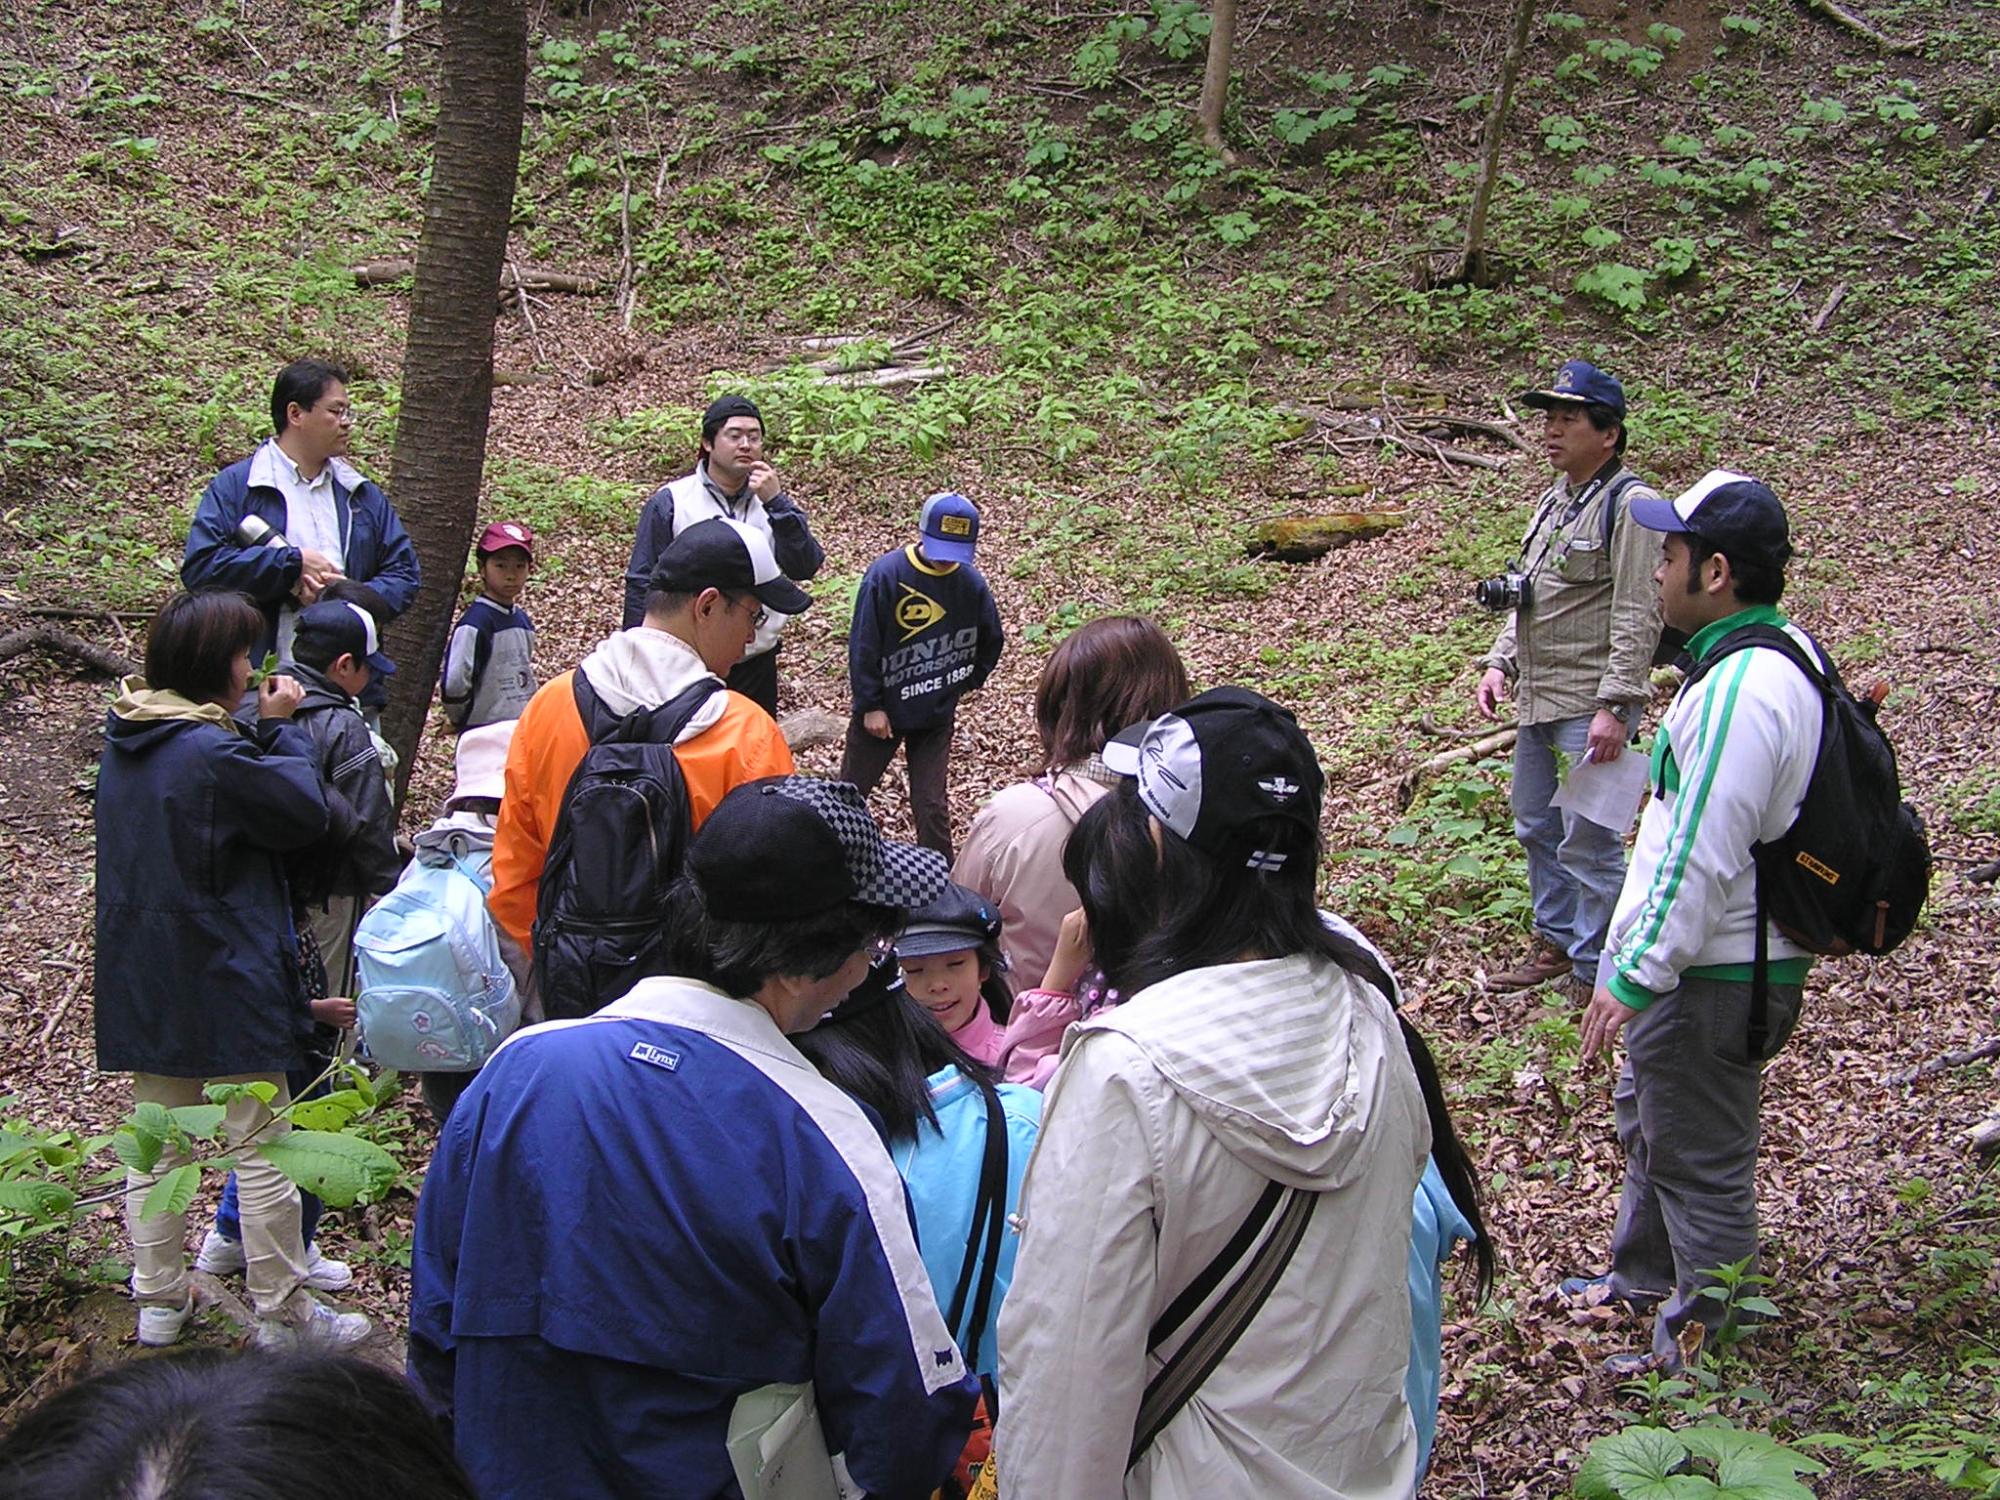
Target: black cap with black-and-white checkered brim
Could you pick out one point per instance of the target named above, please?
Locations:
(793, 847)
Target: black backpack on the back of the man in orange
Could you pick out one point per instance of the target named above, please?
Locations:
(621, 839)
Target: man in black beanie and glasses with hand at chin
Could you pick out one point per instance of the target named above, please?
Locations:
(731, 481)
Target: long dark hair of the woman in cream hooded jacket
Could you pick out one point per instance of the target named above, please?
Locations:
(1171, 909)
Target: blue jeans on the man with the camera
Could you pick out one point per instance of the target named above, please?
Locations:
(1575, 867)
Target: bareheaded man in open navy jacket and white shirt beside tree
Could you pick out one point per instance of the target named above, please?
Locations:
(313, 517)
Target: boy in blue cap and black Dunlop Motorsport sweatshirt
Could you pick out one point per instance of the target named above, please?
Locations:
(925, 635)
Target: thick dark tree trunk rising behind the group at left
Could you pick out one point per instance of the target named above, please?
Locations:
(447, 369)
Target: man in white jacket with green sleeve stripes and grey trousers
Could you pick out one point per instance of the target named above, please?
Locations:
(1729, 771)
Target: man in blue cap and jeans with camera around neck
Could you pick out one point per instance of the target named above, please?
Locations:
(1583, 623)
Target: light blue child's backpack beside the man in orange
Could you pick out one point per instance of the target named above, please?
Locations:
(435, 993)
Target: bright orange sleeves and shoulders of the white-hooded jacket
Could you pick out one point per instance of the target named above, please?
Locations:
(551, 743)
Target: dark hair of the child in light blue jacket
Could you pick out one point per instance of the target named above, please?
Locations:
(881, 1047)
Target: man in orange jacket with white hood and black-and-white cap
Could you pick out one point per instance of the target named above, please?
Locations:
(711, 591)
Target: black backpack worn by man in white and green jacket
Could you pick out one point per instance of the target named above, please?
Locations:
(1853, 871)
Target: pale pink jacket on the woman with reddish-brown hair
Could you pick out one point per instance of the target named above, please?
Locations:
(1013, 857)
